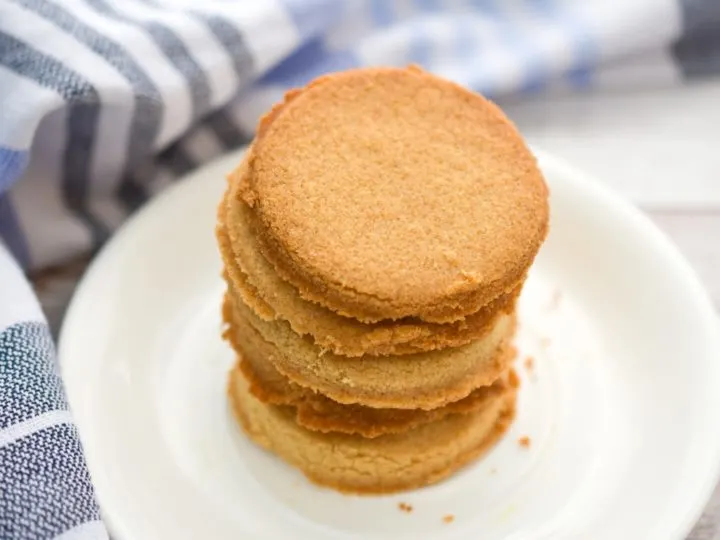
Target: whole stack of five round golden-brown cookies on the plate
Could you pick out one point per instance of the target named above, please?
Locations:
(375, 240)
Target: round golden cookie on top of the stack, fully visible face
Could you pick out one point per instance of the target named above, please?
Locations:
(387, 193)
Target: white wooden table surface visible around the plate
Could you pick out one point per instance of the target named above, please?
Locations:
(660, 149)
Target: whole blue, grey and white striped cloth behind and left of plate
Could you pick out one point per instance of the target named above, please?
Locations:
(103, 103)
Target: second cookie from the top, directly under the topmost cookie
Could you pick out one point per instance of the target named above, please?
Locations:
(254, 278)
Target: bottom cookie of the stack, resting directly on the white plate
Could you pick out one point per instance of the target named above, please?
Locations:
(389, 463)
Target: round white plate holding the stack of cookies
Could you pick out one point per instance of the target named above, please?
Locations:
(622, 405)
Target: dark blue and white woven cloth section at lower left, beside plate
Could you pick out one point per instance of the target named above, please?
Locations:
(45, 490)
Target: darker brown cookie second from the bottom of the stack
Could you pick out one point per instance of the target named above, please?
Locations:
(317, 412)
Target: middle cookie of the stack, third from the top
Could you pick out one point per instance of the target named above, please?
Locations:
(417, 381)
